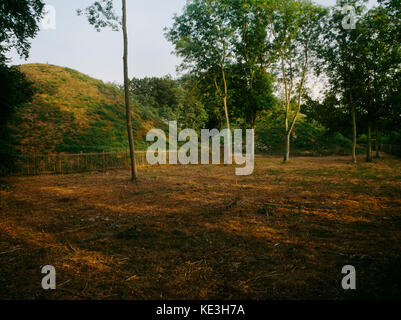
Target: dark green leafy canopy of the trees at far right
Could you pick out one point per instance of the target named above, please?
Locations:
(363, 69)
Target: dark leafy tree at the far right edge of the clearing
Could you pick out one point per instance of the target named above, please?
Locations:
(379, 65)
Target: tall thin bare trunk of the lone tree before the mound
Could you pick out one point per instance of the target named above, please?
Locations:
(134, 172)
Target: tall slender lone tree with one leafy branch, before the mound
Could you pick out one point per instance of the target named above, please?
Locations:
(101, 14)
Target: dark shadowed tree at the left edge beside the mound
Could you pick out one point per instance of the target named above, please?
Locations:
(19, 21)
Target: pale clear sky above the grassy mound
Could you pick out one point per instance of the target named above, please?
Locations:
(77, 45)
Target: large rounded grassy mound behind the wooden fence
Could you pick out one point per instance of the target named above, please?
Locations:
(72, 112)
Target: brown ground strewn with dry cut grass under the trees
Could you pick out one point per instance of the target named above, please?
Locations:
(200, 232)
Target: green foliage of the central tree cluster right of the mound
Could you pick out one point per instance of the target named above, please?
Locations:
(230, 44)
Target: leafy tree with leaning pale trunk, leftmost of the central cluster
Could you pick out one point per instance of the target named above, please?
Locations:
(202, 37)
